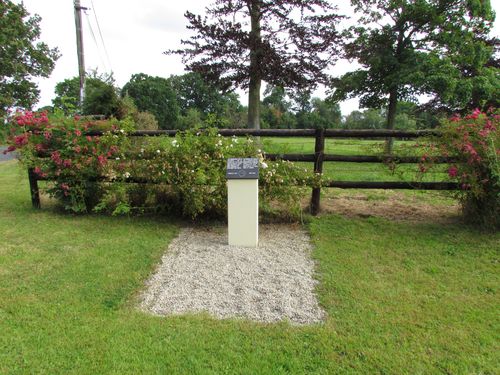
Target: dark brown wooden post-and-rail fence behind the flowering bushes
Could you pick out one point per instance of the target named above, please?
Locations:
(318, 157)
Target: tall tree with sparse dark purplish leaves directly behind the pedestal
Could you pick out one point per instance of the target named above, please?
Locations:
(241, 43)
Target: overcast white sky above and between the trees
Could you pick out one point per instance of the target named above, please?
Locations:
(135, 34)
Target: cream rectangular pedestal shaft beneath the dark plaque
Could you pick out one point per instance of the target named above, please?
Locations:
(243, 212)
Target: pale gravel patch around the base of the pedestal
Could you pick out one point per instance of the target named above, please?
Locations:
(201, 273)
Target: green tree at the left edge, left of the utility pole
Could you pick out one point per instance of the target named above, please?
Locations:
(22, 56)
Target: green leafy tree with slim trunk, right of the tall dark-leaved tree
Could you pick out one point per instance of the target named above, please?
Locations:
(406, 48)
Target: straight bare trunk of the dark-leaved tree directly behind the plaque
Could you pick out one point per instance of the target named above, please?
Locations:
(255, 61)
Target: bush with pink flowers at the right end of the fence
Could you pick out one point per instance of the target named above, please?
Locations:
(474, 141)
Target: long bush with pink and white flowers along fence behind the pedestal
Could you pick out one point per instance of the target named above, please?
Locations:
(115, 173)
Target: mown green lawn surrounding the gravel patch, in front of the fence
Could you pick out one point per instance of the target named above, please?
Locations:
(400, 297)
